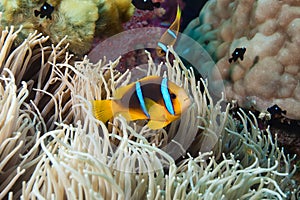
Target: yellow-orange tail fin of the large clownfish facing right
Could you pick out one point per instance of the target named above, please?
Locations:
(102, 110)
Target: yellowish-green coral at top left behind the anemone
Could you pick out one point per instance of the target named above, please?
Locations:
(81, 20)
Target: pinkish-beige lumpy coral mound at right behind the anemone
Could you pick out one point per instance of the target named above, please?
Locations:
(270, 30)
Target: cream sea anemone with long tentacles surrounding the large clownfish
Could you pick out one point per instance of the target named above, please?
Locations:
(55, 148)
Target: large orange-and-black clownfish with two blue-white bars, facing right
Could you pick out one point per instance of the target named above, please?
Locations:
(152, 98)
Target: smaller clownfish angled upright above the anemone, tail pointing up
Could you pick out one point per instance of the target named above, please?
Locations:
(170, 36)
